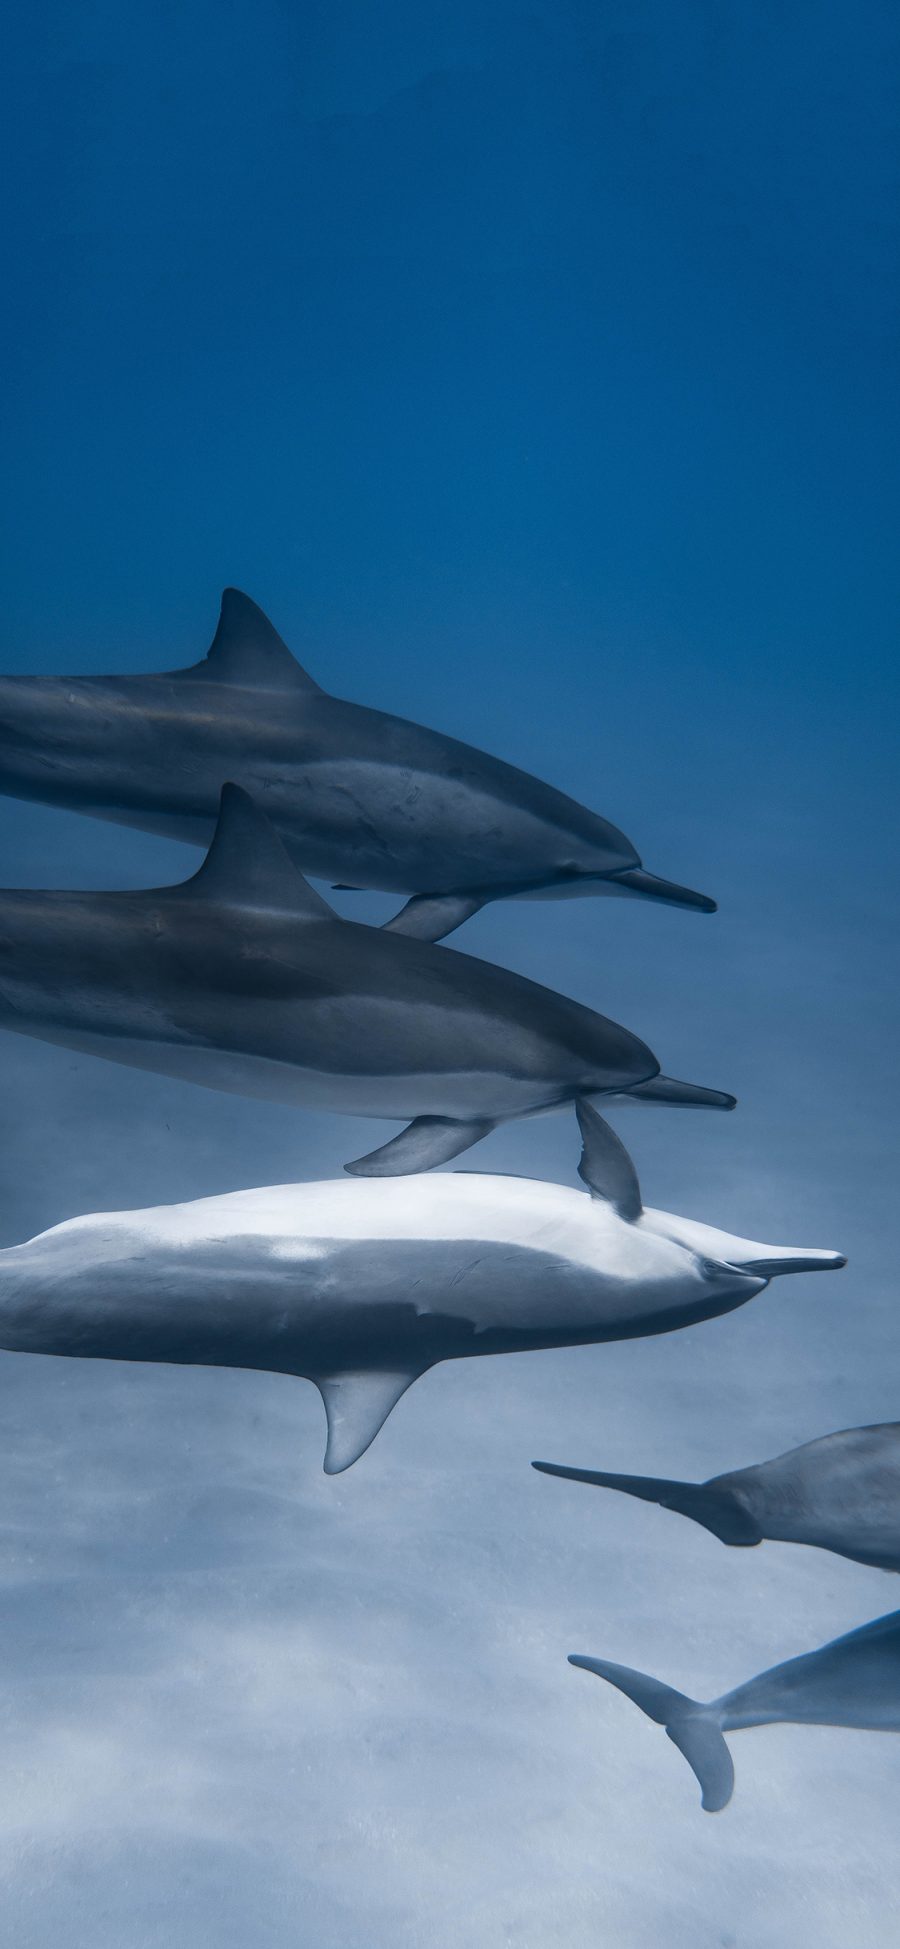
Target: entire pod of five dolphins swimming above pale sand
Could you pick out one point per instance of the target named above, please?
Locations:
(244, 979)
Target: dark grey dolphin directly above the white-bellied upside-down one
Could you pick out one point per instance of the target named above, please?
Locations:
(244, 979)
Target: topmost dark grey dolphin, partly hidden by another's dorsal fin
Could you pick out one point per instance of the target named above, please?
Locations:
(356, 794)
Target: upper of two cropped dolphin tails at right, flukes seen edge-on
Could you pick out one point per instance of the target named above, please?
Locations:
(837, 1494)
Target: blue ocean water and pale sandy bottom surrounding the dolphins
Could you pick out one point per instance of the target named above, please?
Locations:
(537, 369)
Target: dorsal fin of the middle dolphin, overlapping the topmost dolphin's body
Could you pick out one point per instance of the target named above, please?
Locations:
(250, 866)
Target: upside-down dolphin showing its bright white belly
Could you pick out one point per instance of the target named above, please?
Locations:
(361, 1287)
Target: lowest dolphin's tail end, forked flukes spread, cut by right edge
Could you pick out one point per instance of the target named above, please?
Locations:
(854, 1681)
